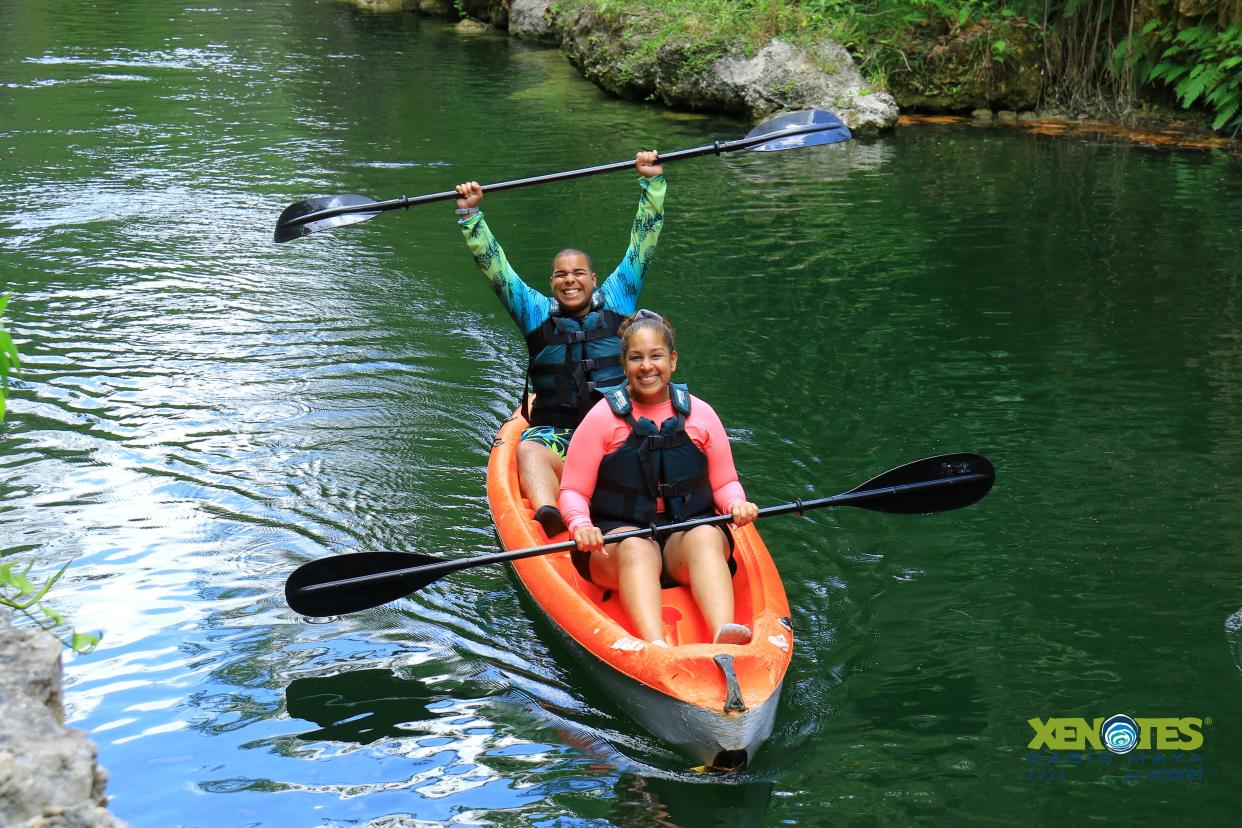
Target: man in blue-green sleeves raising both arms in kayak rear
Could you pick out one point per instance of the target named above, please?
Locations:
(572, 338)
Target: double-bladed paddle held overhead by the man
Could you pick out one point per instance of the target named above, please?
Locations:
(805, 128)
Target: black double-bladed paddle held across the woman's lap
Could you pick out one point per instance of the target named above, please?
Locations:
(342, 584)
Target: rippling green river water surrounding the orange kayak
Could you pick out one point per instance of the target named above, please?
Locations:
(202, 412)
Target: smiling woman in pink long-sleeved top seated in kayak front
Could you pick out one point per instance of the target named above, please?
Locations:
(625, 472)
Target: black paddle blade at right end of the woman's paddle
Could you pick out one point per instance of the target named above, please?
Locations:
(978, 474)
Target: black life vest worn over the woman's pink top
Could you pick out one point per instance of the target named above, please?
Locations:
(653, 464)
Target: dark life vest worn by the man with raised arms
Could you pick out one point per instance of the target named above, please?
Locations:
(569, 361)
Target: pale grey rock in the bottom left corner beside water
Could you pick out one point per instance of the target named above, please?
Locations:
(49, 774)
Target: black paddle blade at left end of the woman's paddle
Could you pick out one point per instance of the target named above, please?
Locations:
(341, 598)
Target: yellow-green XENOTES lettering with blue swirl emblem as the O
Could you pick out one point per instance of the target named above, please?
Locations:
(1120, 734)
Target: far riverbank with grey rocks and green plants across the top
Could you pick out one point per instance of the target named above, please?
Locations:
(1154, 71)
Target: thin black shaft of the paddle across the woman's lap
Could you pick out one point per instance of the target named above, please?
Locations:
(444, 568)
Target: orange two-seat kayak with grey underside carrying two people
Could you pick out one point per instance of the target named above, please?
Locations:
(715, 702)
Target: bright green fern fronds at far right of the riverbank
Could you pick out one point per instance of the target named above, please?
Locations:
(1203, 64)
